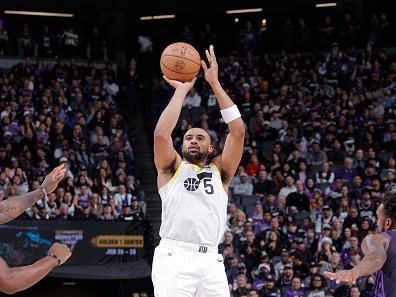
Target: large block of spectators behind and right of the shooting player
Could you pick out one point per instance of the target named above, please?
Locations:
(320, 150)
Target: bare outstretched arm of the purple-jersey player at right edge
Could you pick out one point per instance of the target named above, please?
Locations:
(374, 247)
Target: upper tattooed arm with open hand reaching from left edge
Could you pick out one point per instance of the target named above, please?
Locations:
(14, 206)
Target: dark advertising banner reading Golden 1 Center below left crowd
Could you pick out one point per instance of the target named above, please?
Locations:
(94, 244)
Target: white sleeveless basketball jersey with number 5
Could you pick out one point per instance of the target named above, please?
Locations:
(194, 205)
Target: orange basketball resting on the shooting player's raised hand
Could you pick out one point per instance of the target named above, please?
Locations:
(180, 61)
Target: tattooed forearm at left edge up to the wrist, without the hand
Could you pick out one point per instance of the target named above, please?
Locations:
(14, 206)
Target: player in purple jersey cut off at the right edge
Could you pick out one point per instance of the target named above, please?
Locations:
(379, 251)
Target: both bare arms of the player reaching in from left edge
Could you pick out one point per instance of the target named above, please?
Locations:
(16, 279)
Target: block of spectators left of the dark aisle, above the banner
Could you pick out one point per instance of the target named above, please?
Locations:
(67, 114)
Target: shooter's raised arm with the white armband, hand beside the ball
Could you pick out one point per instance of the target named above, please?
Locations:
(229, 160)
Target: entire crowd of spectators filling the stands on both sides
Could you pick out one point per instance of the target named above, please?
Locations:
(319, 150)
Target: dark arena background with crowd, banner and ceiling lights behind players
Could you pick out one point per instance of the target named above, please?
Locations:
(80, 83)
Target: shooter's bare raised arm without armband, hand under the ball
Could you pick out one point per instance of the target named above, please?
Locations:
(165, 156)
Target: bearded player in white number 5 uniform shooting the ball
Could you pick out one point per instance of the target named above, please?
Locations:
(194, 196)
